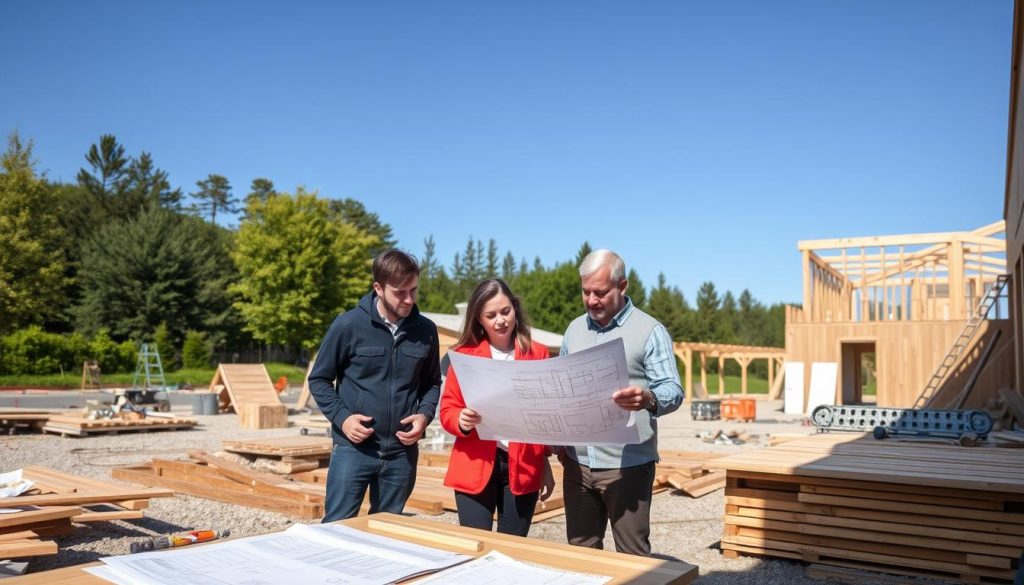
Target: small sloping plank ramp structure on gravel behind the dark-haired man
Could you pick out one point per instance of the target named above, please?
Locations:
(247, 389)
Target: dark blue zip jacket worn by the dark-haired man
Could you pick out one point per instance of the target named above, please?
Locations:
(362, 369)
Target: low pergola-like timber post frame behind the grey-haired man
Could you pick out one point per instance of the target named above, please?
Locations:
(743, 355)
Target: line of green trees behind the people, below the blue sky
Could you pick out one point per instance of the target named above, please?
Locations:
(122, 254)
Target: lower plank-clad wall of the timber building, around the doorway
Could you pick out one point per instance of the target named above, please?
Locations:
(907, 355)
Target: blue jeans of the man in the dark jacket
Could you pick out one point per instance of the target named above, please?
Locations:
(391, 479)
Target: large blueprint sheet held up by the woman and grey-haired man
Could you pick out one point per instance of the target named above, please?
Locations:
(562, 401)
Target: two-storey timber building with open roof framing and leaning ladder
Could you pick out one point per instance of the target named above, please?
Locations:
(906, 300)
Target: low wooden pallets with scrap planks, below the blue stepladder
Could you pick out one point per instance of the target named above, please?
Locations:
(75, 424)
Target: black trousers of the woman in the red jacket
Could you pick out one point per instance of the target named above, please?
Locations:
(515, 513)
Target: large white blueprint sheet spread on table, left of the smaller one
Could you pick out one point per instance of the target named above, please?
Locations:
(318, 555)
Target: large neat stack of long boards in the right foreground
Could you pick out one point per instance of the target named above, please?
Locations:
(908, 509)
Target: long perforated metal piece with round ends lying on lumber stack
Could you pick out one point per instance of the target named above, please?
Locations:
(975, 425)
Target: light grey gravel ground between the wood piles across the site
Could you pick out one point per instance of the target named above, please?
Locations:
(682, 528)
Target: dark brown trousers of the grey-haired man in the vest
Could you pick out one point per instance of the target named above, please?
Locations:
(595, 496)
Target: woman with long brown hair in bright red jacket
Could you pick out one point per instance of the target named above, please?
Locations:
(490, 475)
